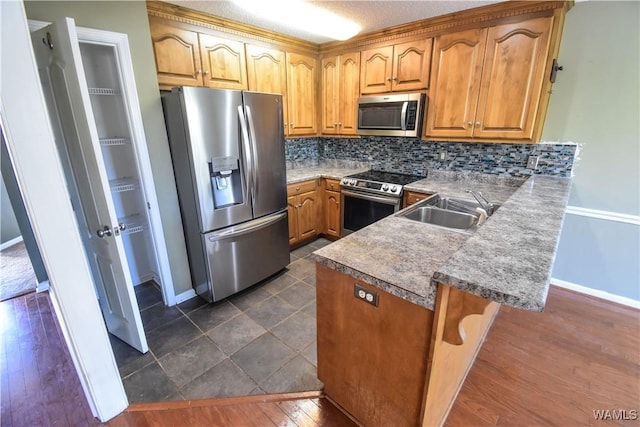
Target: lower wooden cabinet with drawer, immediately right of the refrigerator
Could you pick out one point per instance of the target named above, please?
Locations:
(303, 208)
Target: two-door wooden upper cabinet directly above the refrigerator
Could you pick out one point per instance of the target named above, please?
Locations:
(189, 58)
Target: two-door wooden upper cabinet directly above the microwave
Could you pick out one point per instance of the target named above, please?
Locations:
(400, 67)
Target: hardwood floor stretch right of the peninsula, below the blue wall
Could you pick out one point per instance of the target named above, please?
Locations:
(555, 368)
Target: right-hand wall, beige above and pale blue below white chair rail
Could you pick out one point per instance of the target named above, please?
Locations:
(596, 102)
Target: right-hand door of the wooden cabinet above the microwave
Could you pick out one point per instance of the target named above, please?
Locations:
(411, 65)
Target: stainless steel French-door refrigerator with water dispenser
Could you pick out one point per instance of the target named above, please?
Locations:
(227, 148)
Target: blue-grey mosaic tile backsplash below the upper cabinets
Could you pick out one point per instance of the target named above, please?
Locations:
(413, 156)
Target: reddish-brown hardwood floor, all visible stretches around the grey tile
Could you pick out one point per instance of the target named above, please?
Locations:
(553, 368)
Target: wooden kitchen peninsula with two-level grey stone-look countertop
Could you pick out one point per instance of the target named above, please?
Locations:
(403, 307)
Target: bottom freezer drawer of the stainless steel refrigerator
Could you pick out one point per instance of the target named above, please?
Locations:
(243, 255)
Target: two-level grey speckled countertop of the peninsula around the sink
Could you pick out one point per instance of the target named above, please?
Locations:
(508, 259)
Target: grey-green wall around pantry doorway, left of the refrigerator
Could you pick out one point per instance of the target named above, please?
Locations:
(130, 17)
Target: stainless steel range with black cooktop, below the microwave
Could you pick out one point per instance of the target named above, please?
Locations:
(371, 196)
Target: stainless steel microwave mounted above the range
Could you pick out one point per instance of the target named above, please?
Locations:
(391, 115)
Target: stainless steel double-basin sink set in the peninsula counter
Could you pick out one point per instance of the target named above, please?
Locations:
(449, 212)
